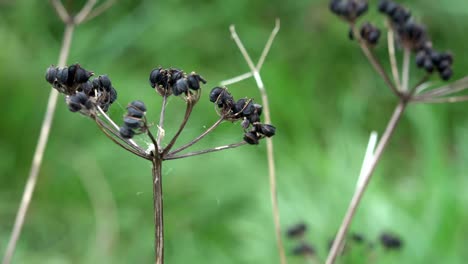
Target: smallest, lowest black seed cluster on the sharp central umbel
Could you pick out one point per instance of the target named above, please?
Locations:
(134, 121)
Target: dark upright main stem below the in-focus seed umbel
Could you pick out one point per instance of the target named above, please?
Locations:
(158, 210)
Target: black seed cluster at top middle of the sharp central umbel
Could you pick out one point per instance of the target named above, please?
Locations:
(174, 81)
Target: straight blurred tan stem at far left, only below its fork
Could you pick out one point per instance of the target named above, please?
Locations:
(39, 151)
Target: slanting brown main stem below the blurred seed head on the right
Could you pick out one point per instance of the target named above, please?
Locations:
(340, 237)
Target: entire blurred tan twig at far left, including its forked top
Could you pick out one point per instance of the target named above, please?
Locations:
(70, 23)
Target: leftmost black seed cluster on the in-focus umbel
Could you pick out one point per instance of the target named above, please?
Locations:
(83, 94)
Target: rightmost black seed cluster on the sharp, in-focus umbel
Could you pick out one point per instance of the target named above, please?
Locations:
(245, 110)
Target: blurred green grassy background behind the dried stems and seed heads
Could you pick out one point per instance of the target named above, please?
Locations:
(93, 202)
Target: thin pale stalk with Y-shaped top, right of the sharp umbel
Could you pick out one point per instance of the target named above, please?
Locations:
(269, 141)
